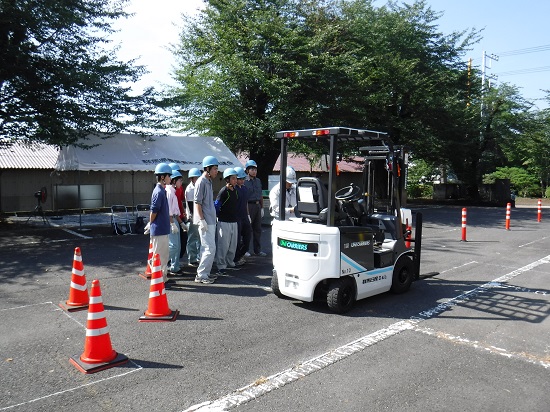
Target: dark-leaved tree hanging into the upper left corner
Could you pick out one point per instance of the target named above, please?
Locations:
(58, 83)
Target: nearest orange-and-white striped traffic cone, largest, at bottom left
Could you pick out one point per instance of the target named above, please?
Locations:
(98, 353)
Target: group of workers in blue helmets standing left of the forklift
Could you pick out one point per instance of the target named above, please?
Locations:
(219, 229)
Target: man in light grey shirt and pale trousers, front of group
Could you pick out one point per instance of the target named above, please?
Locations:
(204, 216)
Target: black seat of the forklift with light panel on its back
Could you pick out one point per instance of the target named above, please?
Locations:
(312, 199)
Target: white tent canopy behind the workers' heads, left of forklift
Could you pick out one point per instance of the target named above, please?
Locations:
(132, 153)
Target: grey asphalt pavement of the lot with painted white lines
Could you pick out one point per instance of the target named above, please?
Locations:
(472, 334)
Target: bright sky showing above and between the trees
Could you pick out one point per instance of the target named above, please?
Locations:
(515, 31)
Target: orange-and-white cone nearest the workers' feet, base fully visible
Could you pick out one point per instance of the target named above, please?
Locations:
(158, 310)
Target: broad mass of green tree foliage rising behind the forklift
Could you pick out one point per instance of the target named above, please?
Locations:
(248, 68)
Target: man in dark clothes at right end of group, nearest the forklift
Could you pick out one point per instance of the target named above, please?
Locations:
(255, 205)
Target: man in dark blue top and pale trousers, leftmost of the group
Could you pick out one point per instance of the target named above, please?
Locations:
(159, 218)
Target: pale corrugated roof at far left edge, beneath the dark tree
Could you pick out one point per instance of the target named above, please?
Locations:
(17, 155)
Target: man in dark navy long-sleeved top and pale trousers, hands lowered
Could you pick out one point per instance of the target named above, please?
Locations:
(227, 208)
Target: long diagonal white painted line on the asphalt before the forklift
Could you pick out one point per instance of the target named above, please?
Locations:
(278, 380)
